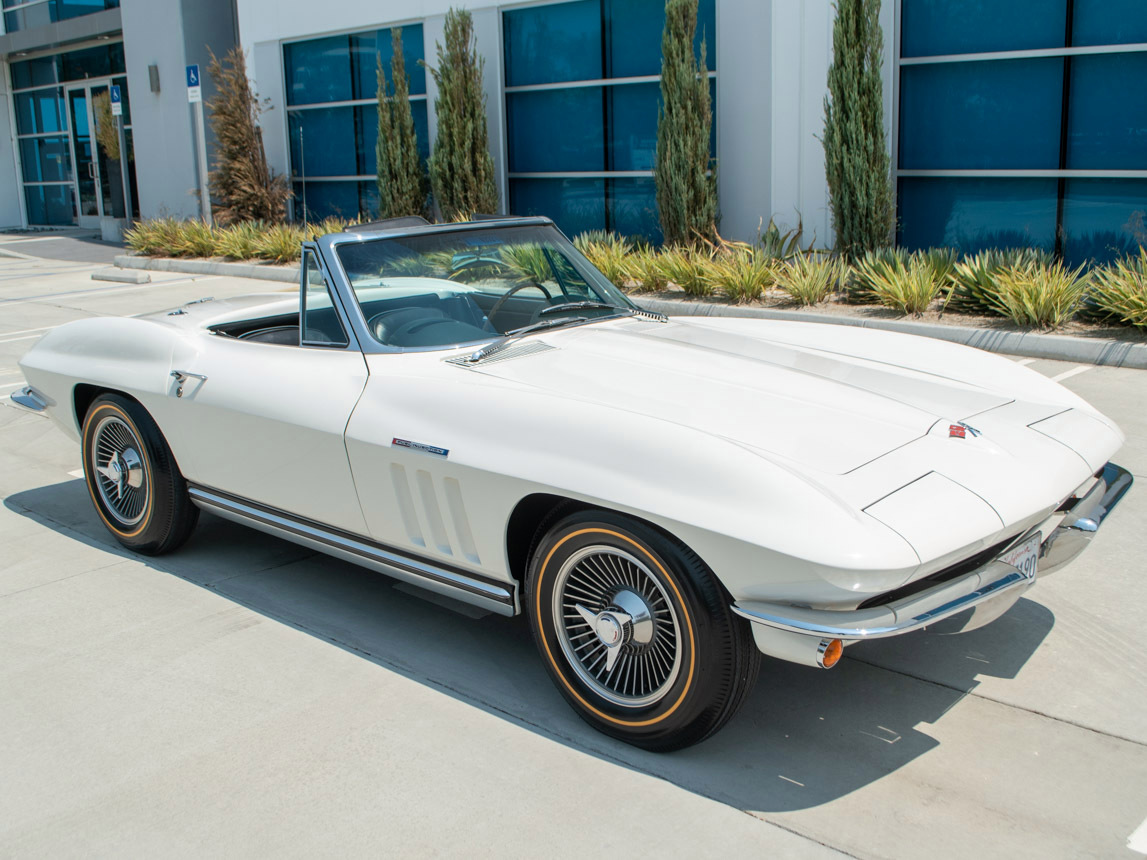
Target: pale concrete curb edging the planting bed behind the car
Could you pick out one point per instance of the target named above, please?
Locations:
(1027, 345)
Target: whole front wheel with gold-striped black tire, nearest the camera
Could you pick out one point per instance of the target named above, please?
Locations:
(636, 631)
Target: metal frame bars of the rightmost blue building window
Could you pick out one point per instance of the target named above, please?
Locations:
(1066, 53)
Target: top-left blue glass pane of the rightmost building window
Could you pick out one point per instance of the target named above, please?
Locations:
(932, 28)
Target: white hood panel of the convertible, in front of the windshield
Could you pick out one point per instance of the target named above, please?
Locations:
(829, 412)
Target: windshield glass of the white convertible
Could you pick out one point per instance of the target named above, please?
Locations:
(461, 287)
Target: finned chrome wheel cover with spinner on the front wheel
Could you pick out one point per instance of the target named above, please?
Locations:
(618, 627)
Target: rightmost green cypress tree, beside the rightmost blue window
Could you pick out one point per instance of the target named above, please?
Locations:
(856, 159)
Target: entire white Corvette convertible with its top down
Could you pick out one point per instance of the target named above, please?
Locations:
(477, 410)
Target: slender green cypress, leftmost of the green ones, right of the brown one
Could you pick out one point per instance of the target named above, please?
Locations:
(402, 183)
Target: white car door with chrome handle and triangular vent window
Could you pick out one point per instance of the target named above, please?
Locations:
(266, 421)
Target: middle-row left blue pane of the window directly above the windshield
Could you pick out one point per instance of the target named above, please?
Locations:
(556, 130)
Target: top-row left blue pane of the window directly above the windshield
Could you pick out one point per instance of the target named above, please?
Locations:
(549, 44)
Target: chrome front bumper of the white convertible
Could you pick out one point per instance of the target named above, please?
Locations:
(978, 598)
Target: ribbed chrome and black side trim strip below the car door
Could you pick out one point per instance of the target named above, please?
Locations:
(455, 583)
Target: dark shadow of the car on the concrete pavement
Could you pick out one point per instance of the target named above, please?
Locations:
(806, 737)
